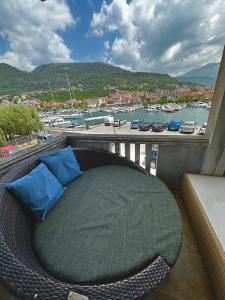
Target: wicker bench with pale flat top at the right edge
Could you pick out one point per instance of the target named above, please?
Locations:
(205, 200)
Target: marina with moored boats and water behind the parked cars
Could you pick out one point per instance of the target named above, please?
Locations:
(95, 118)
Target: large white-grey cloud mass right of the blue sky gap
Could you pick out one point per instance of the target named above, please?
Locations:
(162, 36)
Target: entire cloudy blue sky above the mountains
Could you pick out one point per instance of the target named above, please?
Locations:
(162, 36)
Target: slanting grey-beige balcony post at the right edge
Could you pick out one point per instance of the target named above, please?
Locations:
(214, 158)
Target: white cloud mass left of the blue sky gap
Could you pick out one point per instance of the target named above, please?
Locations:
(32, 30)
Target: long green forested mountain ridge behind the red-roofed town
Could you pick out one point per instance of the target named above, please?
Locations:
(96, 76)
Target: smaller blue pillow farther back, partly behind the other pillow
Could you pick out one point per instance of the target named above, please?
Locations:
(63, 165)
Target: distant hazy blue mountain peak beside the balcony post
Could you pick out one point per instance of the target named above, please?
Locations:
(207, 74)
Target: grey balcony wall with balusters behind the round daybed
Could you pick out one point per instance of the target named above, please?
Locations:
(177, 154)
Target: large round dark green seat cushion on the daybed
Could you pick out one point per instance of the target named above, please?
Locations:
(110, 223)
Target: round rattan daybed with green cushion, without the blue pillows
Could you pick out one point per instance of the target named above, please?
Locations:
(126, 266)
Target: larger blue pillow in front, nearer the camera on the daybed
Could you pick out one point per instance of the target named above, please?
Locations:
(39, 190)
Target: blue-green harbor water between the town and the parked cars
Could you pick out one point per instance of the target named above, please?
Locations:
(199, 115)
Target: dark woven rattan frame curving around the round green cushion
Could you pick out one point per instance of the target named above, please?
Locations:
(20, 270)
